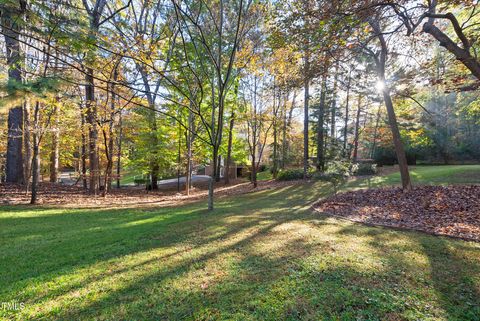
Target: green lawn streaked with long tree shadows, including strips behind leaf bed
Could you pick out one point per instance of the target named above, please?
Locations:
(262, 255)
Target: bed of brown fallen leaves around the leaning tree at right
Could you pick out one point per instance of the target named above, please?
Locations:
(441, 210)
